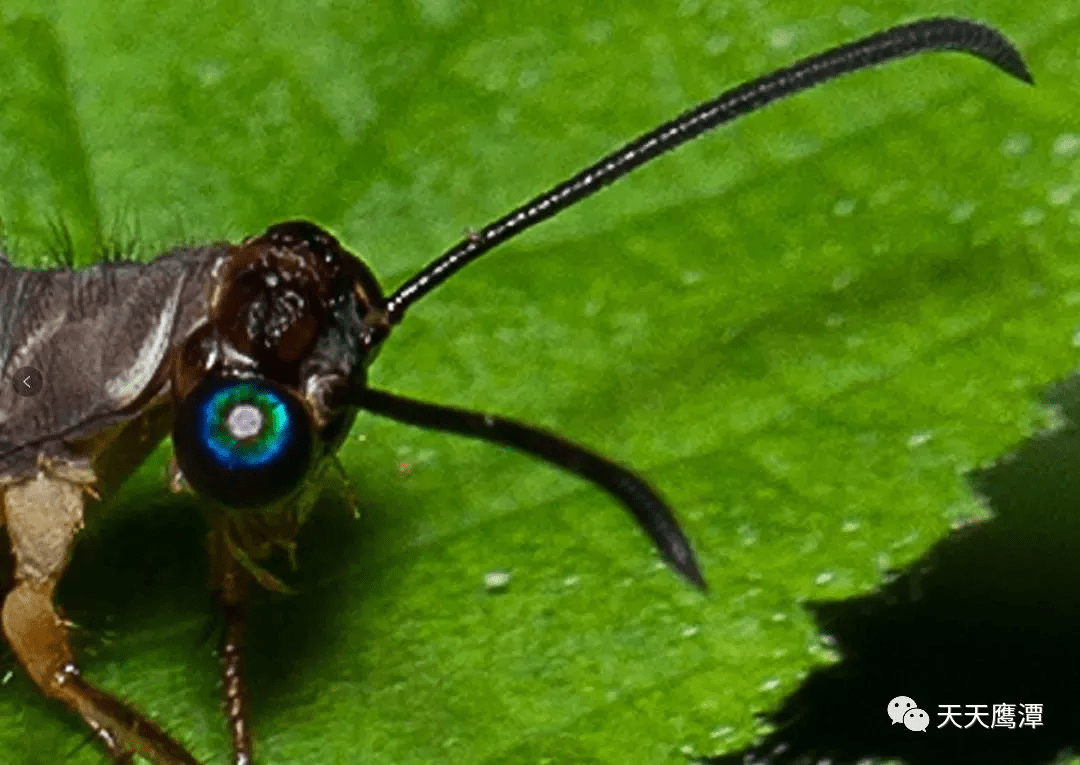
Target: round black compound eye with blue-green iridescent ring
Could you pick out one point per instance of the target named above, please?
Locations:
(244, 442)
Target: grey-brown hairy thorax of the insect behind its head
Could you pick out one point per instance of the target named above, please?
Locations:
(99, 338)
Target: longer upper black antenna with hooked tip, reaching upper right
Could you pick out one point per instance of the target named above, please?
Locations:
(906, 41)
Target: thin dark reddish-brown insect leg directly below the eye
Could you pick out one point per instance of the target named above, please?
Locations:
(232, 582)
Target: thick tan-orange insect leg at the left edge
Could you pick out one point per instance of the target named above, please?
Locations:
(43, 516)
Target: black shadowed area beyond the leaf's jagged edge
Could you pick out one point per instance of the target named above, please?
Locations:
(991, 615)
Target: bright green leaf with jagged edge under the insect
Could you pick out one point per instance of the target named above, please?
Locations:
(804, 330)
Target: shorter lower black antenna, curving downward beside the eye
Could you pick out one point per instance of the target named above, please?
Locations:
(650, 511)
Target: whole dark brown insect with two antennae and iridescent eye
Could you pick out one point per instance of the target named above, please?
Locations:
(254, 358)
